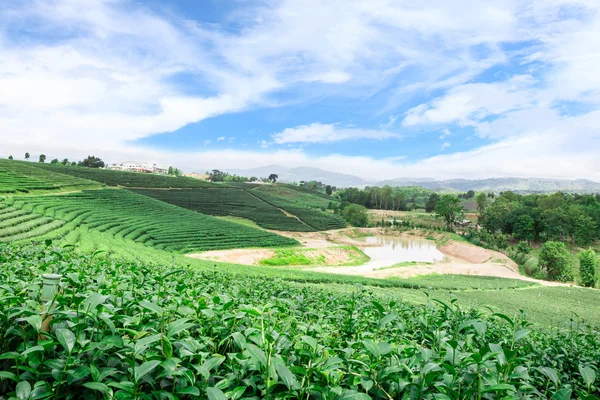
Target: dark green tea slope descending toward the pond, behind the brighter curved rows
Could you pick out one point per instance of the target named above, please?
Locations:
(224, 201)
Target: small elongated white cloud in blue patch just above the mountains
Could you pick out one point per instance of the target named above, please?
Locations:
(328, 133)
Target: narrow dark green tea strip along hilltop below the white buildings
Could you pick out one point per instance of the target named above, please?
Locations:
(127, 179)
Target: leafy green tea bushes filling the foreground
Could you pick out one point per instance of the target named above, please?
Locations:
(128, 331)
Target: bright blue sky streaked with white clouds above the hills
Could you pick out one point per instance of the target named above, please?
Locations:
(379, 88)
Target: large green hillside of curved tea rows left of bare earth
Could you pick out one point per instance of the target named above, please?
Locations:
(146, 220)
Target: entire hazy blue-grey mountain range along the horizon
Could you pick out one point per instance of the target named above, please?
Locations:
(520, 185)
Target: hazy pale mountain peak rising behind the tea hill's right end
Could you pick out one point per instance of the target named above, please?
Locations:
(297, 174)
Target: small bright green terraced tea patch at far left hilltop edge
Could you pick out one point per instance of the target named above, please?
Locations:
(23, 177)
